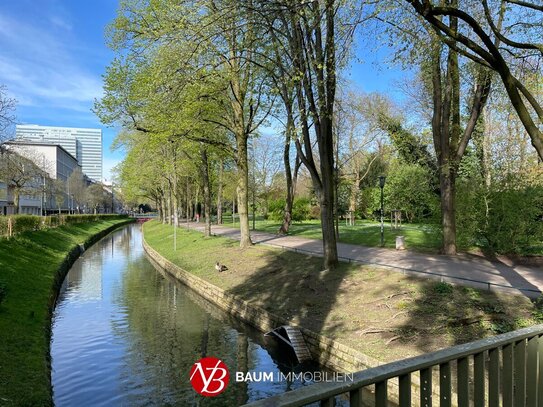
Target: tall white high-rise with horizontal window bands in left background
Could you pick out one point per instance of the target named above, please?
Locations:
(84, 144)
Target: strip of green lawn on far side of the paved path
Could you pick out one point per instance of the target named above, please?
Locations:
(421, 237)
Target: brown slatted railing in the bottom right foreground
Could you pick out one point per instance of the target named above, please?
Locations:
(504, 370)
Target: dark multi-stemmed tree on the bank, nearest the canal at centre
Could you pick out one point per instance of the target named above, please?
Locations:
(309, 35)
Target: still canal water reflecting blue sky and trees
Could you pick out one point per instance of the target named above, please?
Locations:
(124, 334)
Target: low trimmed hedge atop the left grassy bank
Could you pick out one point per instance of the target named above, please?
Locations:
(24, 223)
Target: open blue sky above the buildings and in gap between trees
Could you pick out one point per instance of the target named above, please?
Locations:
(53, 54)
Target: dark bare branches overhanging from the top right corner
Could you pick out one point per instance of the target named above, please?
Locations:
(483, 38)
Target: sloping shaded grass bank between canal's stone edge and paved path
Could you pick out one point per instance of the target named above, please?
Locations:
(381, 313)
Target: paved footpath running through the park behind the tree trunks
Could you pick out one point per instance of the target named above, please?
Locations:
(465, 269)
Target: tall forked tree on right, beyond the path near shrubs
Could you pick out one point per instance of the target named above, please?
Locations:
(442, 70)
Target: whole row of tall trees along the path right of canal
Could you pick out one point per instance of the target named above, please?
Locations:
(194, 81)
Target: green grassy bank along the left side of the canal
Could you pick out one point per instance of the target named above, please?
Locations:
(29, 270)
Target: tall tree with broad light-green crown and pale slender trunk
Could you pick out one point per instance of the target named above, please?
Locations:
(189, 63)
